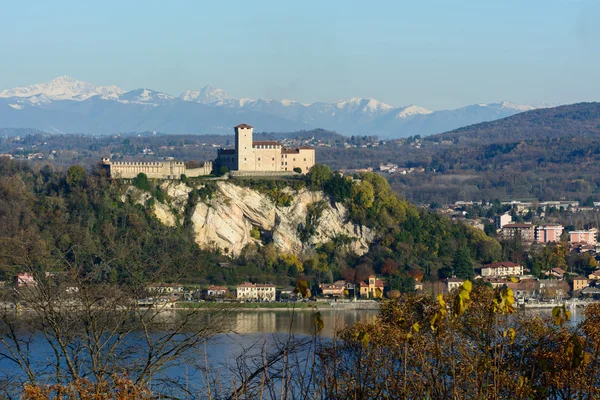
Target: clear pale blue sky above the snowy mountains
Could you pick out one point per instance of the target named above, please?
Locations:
(435, 53)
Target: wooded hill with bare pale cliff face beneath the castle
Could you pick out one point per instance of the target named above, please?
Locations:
(323, 227)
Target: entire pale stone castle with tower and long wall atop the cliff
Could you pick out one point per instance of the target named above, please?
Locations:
(247, 158)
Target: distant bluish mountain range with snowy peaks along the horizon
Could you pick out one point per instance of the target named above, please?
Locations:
(67, 105)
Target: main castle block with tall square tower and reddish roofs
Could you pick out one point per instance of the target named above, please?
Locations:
(263, 157)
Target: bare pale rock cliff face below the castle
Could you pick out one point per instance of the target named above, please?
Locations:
(235, 216)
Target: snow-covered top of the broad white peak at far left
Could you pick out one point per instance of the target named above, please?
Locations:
(63, 88)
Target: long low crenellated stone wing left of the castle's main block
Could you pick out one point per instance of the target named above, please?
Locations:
(157, 169)
